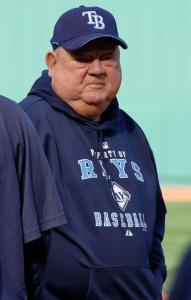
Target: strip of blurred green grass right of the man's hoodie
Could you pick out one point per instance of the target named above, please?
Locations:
(177, 237)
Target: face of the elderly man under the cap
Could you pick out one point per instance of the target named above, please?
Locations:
(87, 79)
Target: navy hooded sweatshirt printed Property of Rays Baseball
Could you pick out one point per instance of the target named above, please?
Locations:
(107, 180)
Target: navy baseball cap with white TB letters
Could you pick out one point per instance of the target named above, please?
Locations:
(78, 26)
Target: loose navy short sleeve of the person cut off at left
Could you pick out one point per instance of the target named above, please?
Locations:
(41, 205)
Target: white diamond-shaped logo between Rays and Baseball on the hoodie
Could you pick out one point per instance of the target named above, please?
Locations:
(121, 196)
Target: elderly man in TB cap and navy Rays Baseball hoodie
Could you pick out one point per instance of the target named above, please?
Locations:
(103, 167)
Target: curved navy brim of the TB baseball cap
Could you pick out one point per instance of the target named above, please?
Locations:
(78, 42)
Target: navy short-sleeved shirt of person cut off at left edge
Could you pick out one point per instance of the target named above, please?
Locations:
(29, 202)
